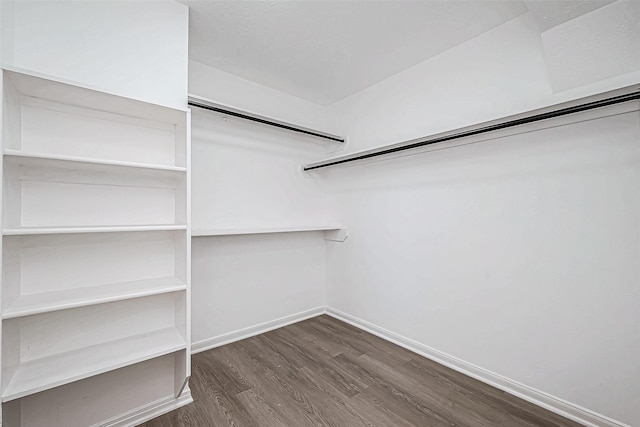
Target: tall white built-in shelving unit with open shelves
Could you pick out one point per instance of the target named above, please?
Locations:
(95, 253)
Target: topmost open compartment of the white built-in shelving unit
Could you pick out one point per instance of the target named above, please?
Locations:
(48, 118)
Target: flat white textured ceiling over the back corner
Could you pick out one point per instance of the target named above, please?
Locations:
(324, 51)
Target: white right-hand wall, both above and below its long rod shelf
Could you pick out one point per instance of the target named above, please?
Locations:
(518, 255)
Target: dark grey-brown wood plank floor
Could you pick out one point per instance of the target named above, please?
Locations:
(323, 372)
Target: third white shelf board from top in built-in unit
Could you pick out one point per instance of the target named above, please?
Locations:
(27, 305)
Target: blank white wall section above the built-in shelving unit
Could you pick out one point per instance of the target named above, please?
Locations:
(137, 49)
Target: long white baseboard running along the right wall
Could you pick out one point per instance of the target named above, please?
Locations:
(537, 397)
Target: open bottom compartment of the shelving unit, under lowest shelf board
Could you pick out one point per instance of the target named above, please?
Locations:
(120, 398)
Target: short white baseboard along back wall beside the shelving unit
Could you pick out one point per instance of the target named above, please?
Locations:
(241, 334)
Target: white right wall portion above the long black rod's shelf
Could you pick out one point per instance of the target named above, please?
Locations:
(499, 73)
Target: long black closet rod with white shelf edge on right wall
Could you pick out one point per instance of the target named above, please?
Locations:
(477, 131)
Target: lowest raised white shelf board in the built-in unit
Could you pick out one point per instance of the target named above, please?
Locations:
(37, 375)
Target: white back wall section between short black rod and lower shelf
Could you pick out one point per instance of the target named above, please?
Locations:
(247, 175)
